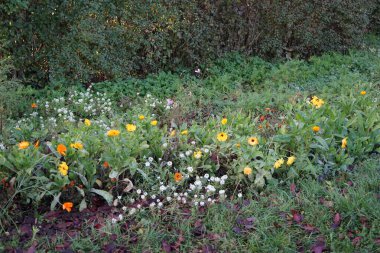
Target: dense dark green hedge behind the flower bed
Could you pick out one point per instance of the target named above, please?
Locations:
(104, 40)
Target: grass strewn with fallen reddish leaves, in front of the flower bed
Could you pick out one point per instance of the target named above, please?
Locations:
(341, 215)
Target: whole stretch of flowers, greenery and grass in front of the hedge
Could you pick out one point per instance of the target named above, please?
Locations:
(278, 152)
